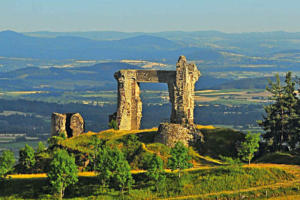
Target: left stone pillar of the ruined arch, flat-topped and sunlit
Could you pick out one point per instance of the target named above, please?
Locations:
(129, 111)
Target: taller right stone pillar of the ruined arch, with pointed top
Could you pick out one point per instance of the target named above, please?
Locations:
(183, 92)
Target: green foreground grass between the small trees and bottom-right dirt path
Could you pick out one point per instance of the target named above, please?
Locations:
(194, 182)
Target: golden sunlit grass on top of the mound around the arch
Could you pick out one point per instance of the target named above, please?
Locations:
(148, 145)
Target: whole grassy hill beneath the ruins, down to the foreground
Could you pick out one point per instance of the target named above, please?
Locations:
(208, 179)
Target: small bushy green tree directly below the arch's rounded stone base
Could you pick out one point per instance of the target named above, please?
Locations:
(180, 157)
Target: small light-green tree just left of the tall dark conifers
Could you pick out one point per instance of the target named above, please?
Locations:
(249, 146)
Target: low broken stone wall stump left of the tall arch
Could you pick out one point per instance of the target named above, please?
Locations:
(69, 124)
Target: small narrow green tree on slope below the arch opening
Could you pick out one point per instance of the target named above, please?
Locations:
(155, 171)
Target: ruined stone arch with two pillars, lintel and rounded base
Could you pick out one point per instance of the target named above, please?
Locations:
(181, 84)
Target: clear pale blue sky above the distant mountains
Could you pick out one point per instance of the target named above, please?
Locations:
(150, 15)
